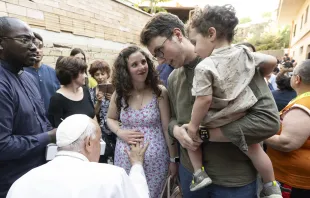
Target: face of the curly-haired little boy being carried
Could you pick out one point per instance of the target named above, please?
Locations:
(204, 45)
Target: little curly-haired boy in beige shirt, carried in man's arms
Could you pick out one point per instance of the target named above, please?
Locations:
(221, 89)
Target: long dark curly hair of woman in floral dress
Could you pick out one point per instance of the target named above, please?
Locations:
(122, 81)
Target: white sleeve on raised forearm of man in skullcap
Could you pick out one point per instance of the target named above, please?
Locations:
(135, 185)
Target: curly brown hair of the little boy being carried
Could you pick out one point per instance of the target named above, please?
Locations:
(222, 18)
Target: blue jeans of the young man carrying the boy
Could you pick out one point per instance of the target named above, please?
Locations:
(215, 191)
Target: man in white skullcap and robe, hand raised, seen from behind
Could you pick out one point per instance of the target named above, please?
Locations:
(75, 173)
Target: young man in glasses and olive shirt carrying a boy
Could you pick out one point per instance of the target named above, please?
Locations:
(230, 169)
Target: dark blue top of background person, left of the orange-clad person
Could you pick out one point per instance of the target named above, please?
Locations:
(283, 97)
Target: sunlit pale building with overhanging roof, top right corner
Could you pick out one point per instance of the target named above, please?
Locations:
(296, 14)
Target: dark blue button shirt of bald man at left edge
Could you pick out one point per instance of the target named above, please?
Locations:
(23, 126)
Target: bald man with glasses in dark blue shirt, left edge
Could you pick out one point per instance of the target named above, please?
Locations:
(24, 128)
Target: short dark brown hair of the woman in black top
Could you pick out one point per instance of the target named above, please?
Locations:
(68, 69)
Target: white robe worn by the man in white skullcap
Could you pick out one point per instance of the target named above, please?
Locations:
(71, 175)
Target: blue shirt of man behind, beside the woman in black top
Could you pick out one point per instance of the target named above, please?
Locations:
(47, 80)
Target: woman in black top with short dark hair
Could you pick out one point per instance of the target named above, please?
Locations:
(72, 97)
